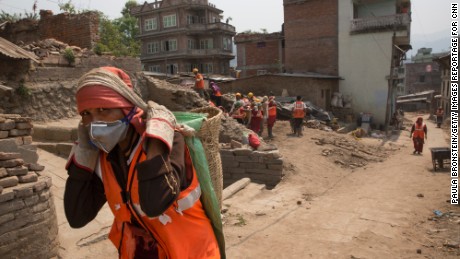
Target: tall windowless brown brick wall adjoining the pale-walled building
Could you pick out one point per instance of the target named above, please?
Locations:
(311, 36)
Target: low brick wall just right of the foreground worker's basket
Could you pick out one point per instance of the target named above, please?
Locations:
(265, 167)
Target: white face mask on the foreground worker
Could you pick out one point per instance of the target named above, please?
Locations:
(106, 135)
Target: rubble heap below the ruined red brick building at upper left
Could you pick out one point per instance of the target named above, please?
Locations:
(47, 47)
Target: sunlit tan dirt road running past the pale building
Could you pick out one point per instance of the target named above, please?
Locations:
(323, 209)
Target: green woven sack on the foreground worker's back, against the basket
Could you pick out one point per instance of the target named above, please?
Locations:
(208, 196)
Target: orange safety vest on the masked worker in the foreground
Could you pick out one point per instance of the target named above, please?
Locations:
(182, 231)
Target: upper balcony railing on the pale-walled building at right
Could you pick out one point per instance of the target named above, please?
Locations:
(389, 22)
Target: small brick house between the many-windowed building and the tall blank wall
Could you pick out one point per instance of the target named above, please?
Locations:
(259, 52)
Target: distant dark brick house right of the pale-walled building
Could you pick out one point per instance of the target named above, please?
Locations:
(418, 79)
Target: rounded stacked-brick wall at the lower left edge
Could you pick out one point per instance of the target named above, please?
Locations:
(28, 222)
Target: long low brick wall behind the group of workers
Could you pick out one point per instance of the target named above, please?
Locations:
(312, 89)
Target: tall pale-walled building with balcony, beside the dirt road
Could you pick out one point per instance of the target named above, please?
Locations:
(374, 36)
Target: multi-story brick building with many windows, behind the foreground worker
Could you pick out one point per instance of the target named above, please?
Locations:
(179, 35)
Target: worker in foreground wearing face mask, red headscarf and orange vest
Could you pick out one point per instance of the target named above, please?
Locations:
(131, 155)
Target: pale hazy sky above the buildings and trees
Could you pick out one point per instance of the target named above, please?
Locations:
(430, 18)
